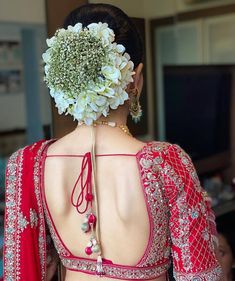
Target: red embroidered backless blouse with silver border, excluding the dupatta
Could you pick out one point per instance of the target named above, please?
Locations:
(181, 222)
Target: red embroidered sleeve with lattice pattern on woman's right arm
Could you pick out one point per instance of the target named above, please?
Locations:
(192, 226)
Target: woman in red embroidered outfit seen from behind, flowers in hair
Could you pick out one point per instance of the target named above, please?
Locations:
(115, 207)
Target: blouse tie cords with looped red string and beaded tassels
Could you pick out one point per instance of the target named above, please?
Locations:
(83, 194)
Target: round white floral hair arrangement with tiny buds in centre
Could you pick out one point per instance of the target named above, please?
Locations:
(86, 71)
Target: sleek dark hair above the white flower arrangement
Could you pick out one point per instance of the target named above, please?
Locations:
(123, 27)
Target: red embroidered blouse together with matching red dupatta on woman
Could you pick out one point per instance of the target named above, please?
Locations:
(182, 224)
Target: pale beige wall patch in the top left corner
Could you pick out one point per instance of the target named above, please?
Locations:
(29, 11)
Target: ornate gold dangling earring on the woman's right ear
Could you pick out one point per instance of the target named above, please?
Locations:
(135, 107)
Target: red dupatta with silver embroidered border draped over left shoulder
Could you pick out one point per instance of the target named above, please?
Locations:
(25, 234)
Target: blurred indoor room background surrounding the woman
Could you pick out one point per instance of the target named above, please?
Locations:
(189, 91)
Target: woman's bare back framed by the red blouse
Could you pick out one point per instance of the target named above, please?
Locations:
(124, 221)
